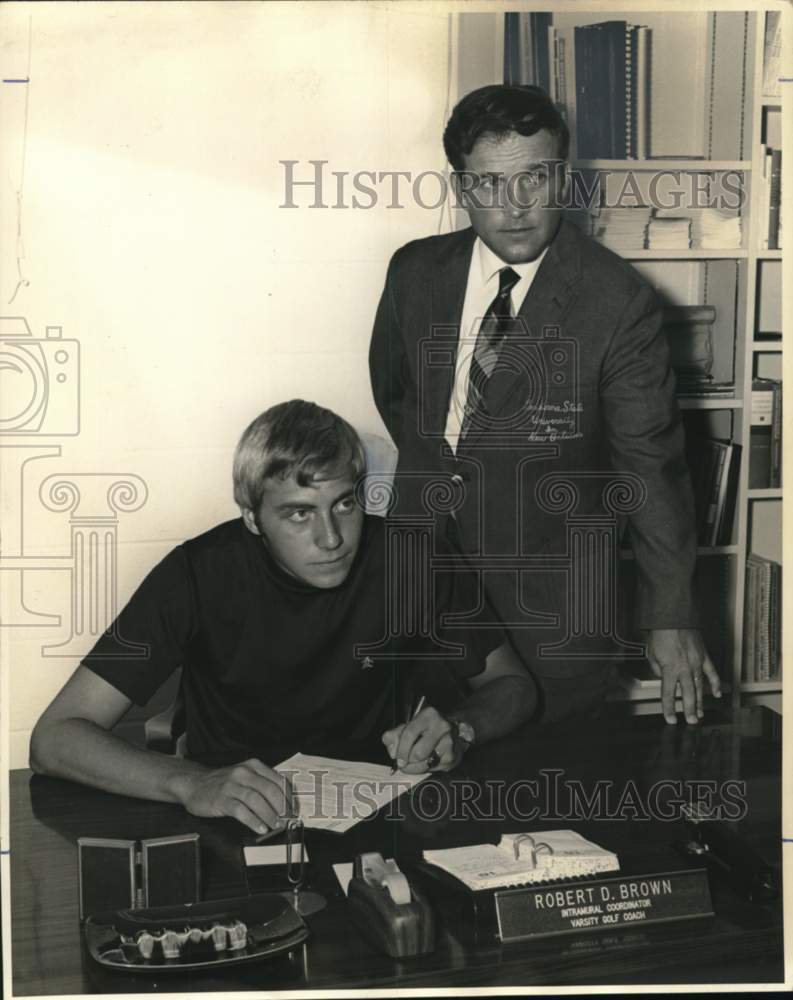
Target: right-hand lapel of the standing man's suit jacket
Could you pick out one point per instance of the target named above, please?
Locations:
(546, 302)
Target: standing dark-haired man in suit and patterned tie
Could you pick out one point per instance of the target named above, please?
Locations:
(593, 344)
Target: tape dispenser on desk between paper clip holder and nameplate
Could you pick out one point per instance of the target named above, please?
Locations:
(390, 912)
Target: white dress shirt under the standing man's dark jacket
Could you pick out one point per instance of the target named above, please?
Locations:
(481, 289)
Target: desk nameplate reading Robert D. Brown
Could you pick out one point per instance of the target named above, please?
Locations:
(610, 903)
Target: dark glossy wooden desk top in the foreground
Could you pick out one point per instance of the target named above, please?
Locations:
(742, 943)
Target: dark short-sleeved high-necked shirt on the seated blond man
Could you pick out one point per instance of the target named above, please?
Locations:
(270, 665)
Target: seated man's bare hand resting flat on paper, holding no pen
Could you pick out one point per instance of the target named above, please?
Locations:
(250, 792)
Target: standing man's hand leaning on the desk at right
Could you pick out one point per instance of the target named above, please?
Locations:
(679, 657)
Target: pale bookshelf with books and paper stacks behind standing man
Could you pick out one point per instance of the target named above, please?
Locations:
(708, 115)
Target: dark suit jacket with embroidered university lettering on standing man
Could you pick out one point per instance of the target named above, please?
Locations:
(586, 389)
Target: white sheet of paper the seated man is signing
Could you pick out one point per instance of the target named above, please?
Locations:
(337, 794)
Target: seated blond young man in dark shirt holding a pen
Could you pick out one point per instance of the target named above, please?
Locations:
(264, 614)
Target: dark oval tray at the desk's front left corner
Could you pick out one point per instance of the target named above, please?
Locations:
(273, 927)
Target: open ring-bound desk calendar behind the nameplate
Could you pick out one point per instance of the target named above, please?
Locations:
(509, 863)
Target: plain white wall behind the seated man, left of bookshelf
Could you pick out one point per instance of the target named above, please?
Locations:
(152, 234)
